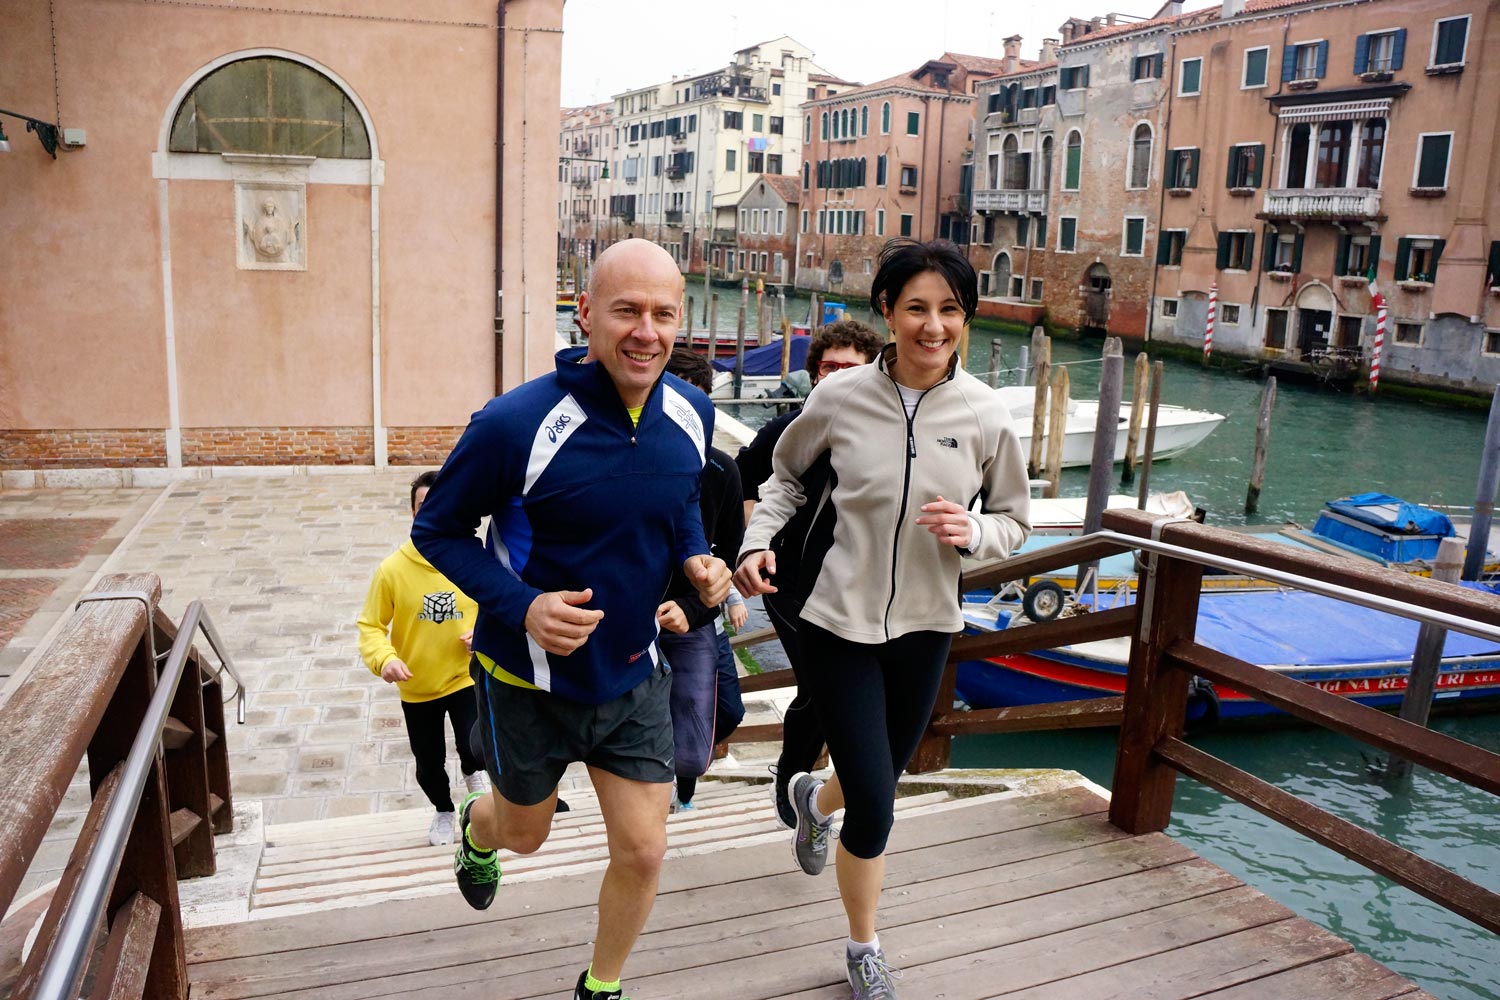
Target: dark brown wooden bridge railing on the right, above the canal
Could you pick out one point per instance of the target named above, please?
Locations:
(1166, 656)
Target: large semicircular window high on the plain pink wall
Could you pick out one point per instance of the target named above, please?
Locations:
(269, 106)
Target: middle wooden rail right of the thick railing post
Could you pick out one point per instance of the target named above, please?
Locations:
(1469, 764)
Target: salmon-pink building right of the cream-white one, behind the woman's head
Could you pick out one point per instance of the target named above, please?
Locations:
(884, 161)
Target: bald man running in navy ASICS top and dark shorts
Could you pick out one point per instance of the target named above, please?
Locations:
(590, 479)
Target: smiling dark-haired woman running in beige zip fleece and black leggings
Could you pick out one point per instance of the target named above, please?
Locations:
(914, 443)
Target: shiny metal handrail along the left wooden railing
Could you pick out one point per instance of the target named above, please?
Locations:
(71, 948)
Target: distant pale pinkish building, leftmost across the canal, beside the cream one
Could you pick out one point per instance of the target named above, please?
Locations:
(586, 146)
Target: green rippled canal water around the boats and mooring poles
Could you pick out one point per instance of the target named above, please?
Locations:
(1324, 445)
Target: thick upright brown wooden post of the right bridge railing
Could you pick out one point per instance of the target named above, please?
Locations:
(1156, 695)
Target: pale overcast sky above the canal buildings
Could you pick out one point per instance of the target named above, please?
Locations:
(610, 46)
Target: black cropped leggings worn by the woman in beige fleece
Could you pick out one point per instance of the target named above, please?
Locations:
(874, 701)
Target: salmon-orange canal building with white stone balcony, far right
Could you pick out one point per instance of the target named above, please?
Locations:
(1334, 140)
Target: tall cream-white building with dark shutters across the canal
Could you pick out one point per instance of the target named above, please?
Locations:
(689, 149)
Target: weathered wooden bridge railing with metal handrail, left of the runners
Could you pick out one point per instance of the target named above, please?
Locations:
(110, 689)
